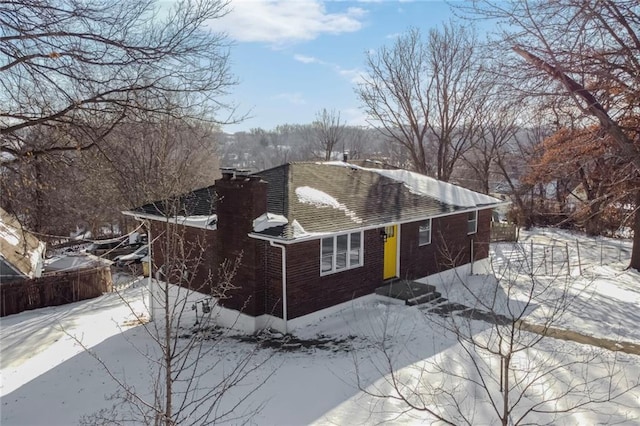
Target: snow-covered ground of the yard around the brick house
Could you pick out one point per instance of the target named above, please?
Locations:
(48, 378)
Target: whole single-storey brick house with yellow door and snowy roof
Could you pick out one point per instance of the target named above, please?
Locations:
(315, 236)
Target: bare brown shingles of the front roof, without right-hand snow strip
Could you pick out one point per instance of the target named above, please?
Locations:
(364, 198)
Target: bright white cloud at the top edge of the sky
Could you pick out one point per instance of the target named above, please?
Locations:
(280, 22)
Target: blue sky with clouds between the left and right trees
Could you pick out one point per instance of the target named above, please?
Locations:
(294, 57)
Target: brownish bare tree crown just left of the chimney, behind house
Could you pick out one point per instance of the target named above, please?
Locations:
(157, 156)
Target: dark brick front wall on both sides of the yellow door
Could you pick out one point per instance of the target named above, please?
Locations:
(308, 292)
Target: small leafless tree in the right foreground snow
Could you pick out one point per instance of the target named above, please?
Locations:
(504, 367)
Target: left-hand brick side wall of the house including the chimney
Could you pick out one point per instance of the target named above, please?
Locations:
(239, 201)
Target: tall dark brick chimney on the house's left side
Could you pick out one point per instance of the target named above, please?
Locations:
(241, 197)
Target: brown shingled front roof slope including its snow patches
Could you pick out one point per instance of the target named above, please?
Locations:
(333, 197)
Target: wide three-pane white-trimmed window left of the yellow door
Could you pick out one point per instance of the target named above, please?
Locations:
(341, 252)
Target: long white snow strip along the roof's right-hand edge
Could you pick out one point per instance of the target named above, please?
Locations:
(424, 185)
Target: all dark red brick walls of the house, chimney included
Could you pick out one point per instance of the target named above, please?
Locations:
(259, 279)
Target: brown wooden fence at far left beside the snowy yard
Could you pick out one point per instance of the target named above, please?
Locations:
(54, 289)
